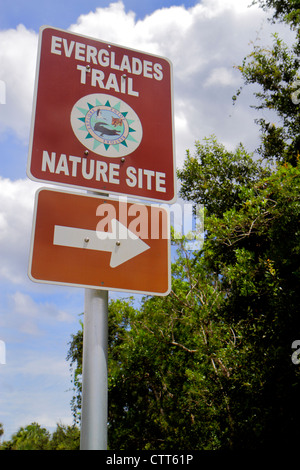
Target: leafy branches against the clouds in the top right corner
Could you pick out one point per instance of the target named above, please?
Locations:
(275, 72)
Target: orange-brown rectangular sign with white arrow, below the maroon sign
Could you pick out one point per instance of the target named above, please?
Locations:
(96, 242)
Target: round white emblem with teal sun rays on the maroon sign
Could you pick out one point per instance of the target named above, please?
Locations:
(106, 125)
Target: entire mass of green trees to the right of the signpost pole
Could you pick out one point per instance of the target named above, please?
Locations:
(209, 366)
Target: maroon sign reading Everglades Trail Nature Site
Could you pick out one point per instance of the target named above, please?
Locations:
(102, 118)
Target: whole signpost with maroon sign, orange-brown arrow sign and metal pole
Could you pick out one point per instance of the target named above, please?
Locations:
(102, 121)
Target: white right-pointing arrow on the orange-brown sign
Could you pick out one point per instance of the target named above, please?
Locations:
(121, 242)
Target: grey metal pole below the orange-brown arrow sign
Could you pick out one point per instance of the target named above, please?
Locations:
(94, 373)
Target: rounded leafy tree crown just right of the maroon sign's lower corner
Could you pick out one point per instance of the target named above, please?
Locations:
(216, 177)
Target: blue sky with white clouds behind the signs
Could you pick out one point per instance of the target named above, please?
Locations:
(204, 40)
